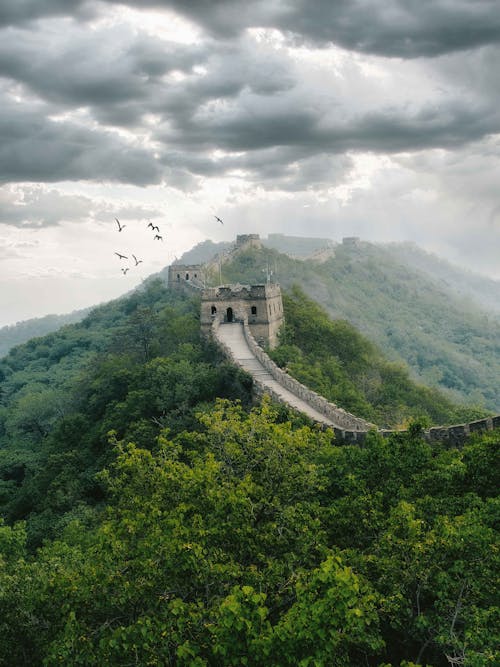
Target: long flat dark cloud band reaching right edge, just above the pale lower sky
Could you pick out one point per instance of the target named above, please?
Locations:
(272, 123)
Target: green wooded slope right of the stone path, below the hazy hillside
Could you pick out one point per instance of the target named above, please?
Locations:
(340, 364)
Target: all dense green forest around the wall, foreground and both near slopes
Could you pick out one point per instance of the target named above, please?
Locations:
(154, 515)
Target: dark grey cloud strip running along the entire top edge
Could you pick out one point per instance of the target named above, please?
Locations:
(391, 28)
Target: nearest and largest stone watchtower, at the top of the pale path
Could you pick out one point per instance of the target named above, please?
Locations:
(259, 305)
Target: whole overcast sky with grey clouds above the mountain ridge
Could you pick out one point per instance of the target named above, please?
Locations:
(328, 118)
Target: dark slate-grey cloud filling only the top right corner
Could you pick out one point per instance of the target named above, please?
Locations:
(395, 27)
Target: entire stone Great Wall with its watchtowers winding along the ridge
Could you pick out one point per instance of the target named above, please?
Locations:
(244, 318)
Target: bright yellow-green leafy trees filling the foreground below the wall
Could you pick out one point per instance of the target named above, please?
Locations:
(249, 542)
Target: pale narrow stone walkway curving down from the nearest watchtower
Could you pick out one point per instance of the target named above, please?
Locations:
(232, 336)
